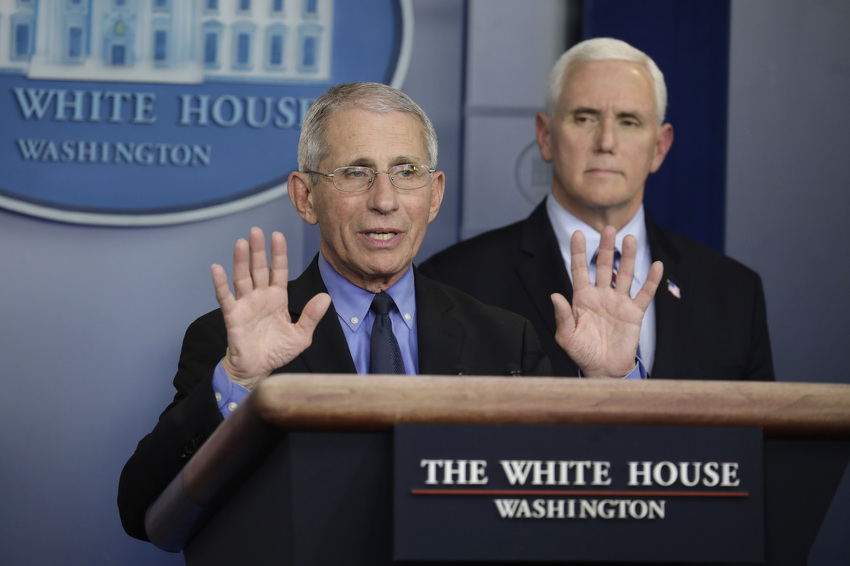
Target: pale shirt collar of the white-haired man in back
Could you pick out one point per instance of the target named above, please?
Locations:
(564, 224)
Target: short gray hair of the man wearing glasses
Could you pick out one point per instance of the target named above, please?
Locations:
(313, 145)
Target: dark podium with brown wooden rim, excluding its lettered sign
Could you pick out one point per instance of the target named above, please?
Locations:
(301, 472)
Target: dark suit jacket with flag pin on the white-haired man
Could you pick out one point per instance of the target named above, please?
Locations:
(717, 330)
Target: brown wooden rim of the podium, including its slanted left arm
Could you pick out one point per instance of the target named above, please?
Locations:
(323, 402)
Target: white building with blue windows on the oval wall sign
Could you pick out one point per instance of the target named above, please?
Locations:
(170, 41)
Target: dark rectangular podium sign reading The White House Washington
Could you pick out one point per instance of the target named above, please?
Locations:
(590, 493)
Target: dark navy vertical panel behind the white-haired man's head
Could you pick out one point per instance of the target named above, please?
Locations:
(689, 41)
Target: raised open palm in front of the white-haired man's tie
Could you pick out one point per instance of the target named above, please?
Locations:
(600, 331)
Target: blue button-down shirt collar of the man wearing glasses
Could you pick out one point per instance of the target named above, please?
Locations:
(352, 303)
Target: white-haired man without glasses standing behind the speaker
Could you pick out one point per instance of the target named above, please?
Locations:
(603, 131)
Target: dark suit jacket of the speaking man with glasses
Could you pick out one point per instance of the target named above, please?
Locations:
(457, 335)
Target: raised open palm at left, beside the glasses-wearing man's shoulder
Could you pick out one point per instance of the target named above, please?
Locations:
(260, 333)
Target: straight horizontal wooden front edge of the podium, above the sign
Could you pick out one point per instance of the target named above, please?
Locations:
(361, 402)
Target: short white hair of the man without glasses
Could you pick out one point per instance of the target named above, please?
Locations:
(605, 49)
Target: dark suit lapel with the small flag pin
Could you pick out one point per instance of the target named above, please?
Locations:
(671, 313)
